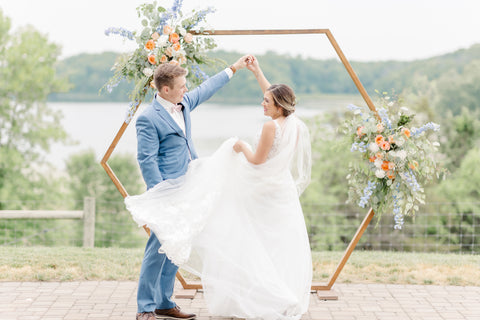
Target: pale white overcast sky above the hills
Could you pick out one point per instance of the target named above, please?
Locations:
(366, 30)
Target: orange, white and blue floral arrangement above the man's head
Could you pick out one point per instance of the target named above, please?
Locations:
(167, 37)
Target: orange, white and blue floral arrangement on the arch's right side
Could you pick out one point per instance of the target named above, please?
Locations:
(395, 159)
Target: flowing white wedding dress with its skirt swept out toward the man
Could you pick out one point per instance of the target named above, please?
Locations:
(239, 226)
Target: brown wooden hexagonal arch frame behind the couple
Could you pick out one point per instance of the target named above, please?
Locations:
(361, 89)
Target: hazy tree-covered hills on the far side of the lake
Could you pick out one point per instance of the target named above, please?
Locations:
(308, 77)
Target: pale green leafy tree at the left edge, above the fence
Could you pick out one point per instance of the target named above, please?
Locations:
(27, 125)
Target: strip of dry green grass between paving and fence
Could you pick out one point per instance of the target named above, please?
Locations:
(76, 264)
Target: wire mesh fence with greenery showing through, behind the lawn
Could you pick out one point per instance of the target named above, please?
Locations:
(330, 228)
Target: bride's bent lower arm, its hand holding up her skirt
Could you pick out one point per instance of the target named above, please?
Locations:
(264, 145)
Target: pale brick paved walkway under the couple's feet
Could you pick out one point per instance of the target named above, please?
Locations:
(117, 300)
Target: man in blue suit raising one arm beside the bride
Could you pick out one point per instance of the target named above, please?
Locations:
(165, 148)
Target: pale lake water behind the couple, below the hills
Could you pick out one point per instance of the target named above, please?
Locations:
(94, 125)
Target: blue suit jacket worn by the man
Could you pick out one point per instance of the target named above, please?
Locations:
(163, 150)
